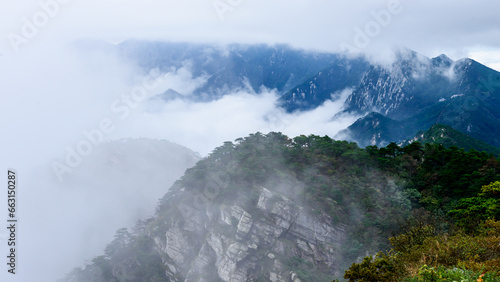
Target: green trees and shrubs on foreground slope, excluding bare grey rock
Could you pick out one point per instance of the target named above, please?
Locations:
(438, 206)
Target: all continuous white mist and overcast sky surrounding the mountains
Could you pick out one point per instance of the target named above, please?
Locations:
(83, 127)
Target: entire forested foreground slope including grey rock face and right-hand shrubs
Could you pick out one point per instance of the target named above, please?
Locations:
(270, 207)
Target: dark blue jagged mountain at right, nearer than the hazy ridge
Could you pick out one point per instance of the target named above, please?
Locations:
(418, 93)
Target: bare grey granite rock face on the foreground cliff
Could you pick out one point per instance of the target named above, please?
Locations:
(247, 242)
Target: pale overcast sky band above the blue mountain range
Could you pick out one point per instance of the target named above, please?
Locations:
(458, 28)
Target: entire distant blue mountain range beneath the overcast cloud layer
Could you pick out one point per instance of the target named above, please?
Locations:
(394, 100)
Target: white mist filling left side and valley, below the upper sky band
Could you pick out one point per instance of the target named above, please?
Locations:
(66, 116)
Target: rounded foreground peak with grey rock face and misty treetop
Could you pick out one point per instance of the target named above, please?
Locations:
(267, 208)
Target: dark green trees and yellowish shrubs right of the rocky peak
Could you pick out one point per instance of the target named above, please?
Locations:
(454, 234)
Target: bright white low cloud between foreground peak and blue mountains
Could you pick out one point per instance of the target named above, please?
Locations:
(202, 126)
